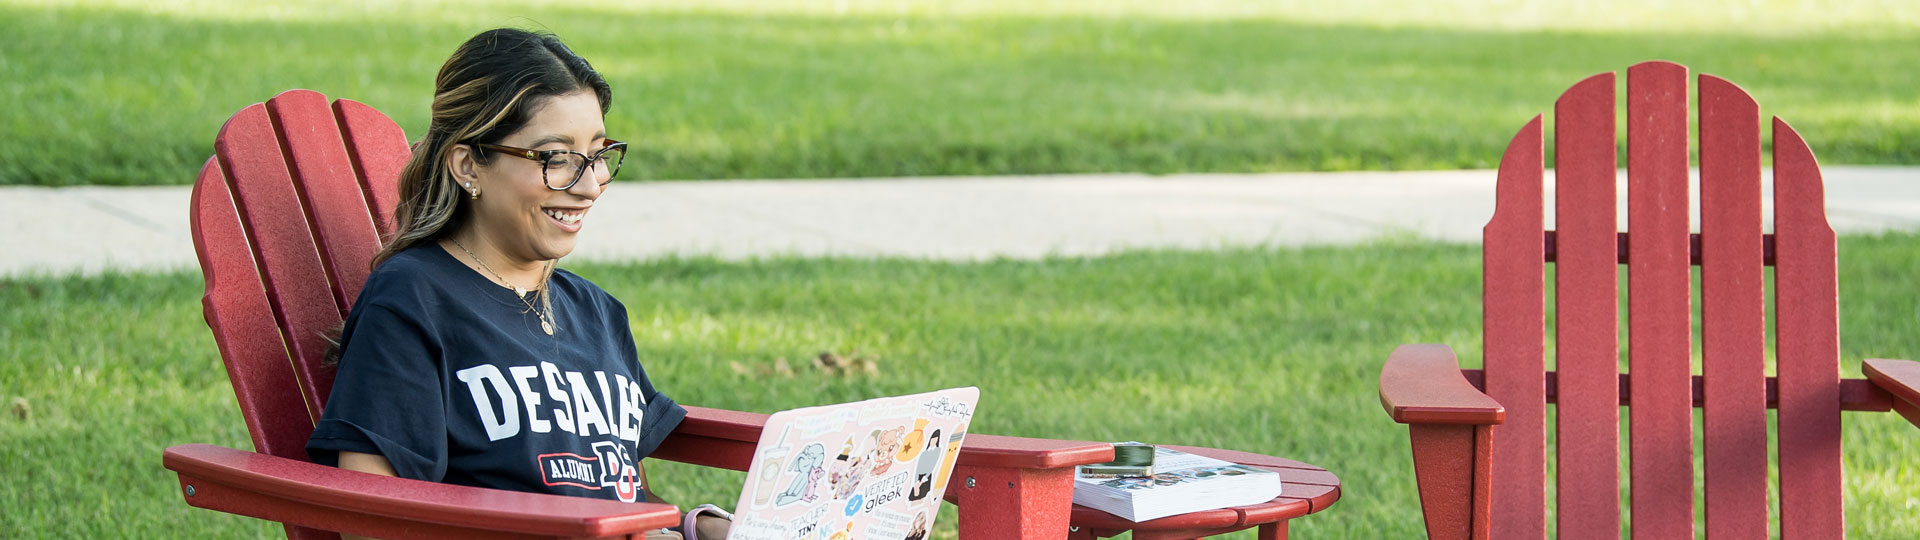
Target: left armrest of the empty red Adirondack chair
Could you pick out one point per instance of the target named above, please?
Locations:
(1424, 385)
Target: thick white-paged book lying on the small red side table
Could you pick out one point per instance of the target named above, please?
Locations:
(1182, 483)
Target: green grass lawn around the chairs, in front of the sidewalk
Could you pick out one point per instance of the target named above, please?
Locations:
(1264, 351)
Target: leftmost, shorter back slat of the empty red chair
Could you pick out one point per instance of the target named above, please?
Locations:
(1514, 264)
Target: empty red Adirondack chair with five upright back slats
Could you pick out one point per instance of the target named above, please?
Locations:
(1479, 437)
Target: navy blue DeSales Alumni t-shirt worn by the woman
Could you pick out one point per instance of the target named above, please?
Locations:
(452, 380)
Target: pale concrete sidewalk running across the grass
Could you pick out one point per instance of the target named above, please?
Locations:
(49, 232)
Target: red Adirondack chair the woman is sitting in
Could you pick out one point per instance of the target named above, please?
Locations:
(287, 218)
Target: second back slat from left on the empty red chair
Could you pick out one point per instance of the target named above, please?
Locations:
(1587, 312)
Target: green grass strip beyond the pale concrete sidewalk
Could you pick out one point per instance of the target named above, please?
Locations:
(128, 93)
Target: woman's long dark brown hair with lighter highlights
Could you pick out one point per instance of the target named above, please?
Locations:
(485, 93)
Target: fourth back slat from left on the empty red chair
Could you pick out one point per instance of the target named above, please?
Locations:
(1733, 314)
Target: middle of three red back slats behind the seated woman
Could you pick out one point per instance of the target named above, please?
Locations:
(318, 159)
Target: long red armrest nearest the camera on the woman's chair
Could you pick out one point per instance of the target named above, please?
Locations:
(329, 499)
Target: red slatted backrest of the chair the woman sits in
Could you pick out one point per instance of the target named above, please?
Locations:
(287, 218)
